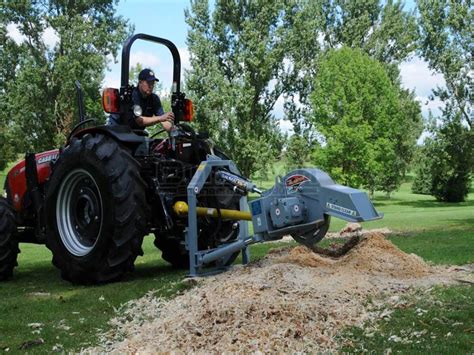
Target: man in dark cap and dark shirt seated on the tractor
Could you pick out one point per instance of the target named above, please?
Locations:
(147, 108)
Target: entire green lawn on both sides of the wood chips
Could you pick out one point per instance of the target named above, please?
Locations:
(40, 312)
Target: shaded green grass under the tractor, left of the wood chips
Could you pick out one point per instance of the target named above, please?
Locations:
(38, 295)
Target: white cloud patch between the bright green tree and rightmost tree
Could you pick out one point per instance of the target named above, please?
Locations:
(416, 75)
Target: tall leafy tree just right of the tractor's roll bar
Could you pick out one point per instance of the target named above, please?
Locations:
(237, 55)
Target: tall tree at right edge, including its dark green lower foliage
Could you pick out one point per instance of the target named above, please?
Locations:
(446, 29)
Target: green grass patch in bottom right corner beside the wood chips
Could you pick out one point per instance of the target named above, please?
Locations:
(440, 322)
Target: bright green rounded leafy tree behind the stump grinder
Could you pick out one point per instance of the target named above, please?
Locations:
(369, 127)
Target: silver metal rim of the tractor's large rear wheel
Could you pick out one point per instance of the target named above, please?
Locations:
(79, 212)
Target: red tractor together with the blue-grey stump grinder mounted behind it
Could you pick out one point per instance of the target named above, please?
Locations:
(92, 201)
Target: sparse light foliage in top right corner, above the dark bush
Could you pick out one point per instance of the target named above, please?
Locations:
(446, 44)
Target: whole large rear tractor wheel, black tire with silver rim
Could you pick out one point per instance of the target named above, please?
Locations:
(96, 216)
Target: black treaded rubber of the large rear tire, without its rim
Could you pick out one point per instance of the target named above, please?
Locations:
(128, 194)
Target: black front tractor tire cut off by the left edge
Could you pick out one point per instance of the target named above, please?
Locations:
(8, 242)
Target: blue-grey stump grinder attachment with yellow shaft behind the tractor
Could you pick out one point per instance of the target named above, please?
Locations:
(300, 204)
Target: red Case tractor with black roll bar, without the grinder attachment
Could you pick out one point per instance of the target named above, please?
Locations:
(92, 201)
